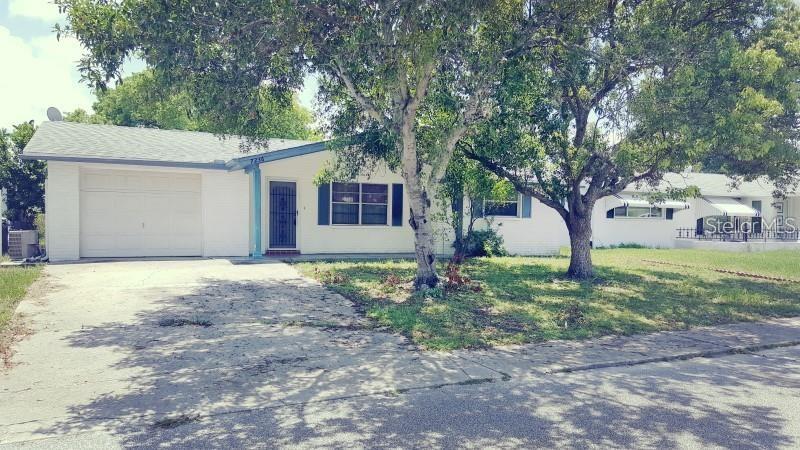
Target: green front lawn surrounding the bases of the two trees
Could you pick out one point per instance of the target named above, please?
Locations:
(521, 300)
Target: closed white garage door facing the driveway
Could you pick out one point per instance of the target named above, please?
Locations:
(137, 213)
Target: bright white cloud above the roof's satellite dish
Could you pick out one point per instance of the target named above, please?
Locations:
(40, 72)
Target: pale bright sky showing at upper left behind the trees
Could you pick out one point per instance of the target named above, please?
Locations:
(39, 71)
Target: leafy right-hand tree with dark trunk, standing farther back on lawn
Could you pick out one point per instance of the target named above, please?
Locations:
(631, 90)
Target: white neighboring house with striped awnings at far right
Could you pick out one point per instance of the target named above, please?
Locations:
(722, 217)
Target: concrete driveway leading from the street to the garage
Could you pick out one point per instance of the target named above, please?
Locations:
(131, 344)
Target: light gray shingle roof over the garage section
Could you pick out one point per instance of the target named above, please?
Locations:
(67, 140)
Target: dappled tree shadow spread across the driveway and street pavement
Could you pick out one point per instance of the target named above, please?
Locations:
(286, 363)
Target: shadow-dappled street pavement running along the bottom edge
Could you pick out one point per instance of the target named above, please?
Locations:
(737, 401)
